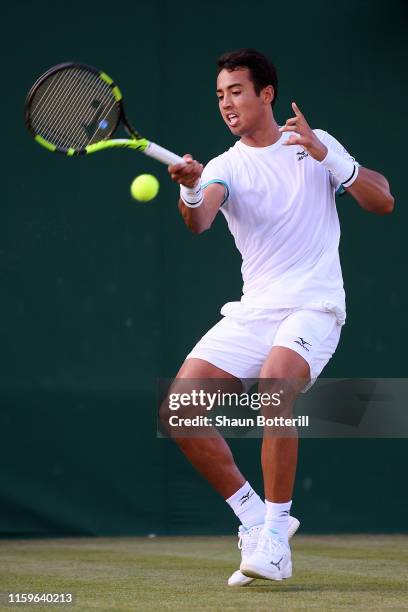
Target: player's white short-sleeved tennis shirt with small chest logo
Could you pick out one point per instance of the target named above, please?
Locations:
(280, 208)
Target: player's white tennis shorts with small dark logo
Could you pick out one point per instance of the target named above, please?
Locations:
(242, 340)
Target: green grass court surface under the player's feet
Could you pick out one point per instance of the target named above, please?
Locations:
(189, 573)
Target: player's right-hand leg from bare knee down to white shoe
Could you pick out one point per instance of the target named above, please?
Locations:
(283, 370)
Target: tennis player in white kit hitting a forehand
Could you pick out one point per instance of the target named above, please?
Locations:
(276, 188)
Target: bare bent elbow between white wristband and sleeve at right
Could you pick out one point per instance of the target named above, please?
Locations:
(372, 191)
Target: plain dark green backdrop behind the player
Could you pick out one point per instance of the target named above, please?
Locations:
(100, 295)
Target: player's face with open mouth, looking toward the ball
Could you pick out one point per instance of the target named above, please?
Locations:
(240, 107)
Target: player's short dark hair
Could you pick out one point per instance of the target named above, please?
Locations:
(261, 69)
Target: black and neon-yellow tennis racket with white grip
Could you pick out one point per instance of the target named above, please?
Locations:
(74, 109)
